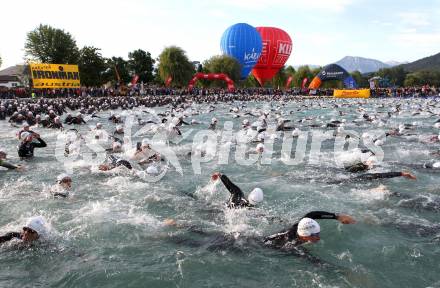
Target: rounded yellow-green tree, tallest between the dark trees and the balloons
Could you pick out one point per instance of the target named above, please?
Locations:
(174, 62)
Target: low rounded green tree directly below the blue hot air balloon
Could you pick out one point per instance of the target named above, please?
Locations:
(222, 64)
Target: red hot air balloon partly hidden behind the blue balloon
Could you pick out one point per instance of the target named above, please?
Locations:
(277, 47)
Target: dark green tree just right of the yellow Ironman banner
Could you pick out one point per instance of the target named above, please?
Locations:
(92, 66)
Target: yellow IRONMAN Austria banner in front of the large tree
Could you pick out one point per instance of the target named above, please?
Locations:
(55, 76)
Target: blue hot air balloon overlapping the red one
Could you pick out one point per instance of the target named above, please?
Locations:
(242, 42)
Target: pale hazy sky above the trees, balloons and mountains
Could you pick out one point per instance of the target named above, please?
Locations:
(323, 31)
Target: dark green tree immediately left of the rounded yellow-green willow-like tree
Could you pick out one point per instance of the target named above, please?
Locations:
(142, 64)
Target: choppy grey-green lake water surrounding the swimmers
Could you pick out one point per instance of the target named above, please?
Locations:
(110, 232)
